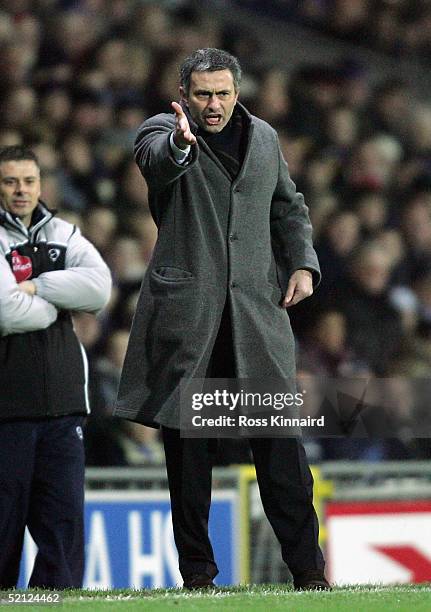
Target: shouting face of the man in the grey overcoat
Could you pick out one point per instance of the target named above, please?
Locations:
(211, 99)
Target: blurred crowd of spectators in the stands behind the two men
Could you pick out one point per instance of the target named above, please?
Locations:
(78, 77)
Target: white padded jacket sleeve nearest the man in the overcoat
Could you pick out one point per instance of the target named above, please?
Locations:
(84, 284)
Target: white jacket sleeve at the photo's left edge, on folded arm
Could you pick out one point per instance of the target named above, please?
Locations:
(19, 312)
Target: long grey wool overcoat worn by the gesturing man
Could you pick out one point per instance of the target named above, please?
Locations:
(218, 240)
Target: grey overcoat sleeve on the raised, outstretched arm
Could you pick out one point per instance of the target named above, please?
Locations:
(154, 156)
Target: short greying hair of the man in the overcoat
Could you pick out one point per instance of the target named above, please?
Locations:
(209, 60)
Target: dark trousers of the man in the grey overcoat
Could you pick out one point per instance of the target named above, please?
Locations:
(284, 479)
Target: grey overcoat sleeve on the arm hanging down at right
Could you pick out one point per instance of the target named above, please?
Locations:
(291, 229)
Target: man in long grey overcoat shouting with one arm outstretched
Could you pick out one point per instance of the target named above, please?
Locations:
(234, 250)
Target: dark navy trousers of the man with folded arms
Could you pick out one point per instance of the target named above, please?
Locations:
(42, 487)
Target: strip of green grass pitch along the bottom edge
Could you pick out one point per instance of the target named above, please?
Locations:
(262, 598)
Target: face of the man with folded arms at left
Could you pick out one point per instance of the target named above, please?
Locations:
(20, 188)
